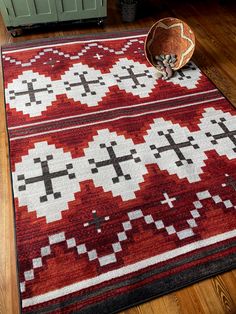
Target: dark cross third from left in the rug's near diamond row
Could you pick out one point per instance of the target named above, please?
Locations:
(174, 146)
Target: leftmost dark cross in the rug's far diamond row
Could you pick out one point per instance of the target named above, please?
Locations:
(31, 92)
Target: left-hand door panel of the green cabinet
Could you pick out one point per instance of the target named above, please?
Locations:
(23, 12)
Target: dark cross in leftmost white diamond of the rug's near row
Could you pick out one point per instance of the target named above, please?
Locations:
(46, 177)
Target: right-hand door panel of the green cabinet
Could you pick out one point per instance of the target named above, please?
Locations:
(80, 9)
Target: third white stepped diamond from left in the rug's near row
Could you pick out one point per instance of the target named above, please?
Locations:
(175, 149)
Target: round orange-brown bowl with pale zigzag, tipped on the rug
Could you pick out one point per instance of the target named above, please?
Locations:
(170, 36)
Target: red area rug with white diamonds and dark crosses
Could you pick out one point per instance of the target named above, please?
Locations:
(124, 185)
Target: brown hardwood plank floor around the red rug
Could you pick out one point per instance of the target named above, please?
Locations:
(214, 24)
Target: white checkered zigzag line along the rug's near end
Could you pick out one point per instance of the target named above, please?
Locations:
(122, 236)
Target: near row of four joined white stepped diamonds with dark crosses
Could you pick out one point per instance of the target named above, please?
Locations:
(117, 165)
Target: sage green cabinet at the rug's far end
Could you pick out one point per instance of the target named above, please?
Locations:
(19, 13)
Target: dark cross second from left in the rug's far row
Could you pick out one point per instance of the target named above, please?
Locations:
(85, 83)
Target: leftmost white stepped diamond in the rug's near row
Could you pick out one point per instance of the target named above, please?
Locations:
(50, 179)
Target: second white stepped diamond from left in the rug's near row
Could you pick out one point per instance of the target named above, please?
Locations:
(115, 164)
